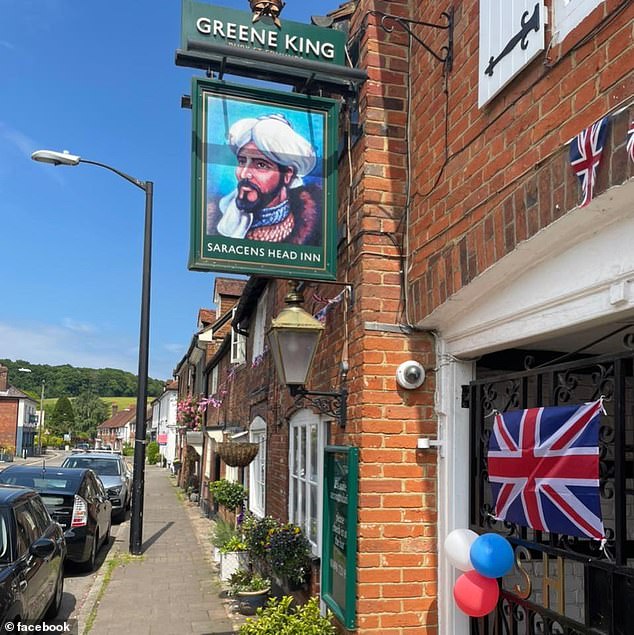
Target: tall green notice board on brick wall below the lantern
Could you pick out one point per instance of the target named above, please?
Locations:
(339, 553)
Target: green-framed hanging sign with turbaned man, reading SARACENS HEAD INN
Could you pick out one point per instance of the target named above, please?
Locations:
(263, 182)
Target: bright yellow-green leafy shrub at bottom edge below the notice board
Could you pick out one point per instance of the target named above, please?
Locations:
(279, 616)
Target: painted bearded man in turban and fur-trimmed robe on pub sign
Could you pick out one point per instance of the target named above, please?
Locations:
(270, 199)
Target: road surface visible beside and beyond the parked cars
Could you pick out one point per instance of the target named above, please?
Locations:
(77, 584)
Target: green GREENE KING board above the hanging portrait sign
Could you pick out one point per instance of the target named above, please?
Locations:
(220, 25)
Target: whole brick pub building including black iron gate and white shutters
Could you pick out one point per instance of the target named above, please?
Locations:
(485, 214)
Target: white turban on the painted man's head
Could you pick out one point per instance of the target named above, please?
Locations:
(275, 138)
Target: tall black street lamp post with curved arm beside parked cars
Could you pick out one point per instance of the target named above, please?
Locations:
(136, 518)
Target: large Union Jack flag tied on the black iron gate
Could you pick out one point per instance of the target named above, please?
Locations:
(544, 469)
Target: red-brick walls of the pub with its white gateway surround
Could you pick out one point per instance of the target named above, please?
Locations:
(463, 239)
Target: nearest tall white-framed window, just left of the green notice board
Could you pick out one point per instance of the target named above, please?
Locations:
(306, 451)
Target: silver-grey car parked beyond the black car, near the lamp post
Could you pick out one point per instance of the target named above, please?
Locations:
(114, 473)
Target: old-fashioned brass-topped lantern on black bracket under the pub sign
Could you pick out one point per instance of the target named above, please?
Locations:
(293, 340)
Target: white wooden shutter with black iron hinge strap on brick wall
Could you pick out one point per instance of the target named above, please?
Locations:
(504, 23)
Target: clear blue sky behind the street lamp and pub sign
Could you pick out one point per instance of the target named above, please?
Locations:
(97, 79)
